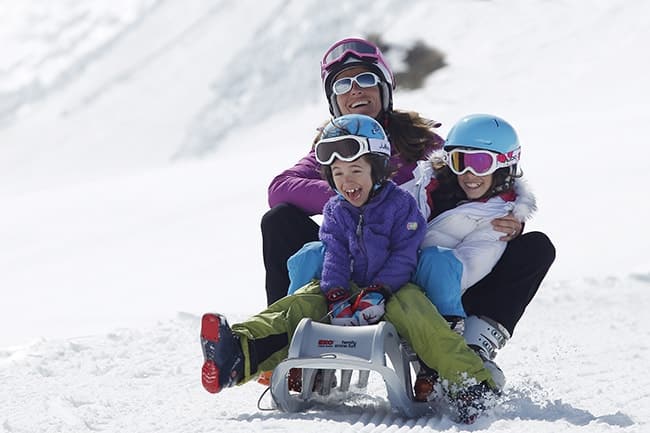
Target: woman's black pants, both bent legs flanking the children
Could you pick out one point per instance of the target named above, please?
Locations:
(502, 295)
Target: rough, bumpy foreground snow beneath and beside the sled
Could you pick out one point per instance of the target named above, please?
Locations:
(581, 373)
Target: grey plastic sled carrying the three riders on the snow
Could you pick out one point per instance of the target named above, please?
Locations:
(318, 346)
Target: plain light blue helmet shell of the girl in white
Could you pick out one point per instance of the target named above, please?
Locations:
(483, 131)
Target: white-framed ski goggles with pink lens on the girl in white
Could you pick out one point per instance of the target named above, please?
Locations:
(479, 162)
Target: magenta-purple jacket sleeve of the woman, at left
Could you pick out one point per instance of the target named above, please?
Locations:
(301, 186)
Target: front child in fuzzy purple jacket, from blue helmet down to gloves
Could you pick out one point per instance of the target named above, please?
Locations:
(371, 229)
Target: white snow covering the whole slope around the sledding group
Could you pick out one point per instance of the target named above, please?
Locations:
(137, 139)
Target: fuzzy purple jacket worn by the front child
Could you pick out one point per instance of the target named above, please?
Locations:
(381, 240)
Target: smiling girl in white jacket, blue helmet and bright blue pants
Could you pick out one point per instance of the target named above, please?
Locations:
(460, 190)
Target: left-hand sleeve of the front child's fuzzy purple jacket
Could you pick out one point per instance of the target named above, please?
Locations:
(337, 259)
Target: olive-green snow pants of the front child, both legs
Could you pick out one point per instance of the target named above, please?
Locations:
(416, 319)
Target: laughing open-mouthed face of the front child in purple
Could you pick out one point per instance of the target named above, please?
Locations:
(353, 180)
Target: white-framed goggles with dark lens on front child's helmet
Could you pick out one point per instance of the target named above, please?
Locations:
(348, 148)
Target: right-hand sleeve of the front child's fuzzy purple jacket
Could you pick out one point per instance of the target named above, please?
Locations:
(407, 234)
